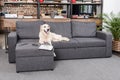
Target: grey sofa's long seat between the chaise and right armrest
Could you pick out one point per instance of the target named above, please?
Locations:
(80, 42)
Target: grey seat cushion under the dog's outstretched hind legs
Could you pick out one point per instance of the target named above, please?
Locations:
(66, 44)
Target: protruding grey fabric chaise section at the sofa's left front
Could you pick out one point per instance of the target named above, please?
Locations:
(30, 58)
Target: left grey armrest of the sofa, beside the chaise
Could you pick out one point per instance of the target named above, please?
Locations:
(12, 41)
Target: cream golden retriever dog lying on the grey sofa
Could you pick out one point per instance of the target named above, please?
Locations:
(45, 36)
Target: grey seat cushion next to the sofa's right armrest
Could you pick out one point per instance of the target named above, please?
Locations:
(90, 42)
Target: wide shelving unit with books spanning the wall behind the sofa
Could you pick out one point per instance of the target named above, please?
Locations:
(81, 9)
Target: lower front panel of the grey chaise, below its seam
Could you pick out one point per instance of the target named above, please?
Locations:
(34, 63)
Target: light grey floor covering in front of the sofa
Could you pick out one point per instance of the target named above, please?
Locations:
(80, 69)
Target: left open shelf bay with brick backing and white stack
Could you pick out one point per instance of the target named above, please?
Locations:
(19, 9)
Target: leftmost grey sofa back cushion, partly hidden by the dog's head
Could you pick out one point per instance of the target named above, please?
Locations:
(28, 29)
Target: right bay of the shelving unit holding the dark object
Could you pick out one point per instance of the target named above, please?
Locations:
(87, 11)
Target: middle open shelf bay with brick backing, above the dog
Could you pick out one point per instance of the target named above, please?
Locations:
(57, 10)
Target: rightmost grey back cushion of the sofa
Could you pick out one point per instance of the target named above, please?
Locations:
(83, 29)
